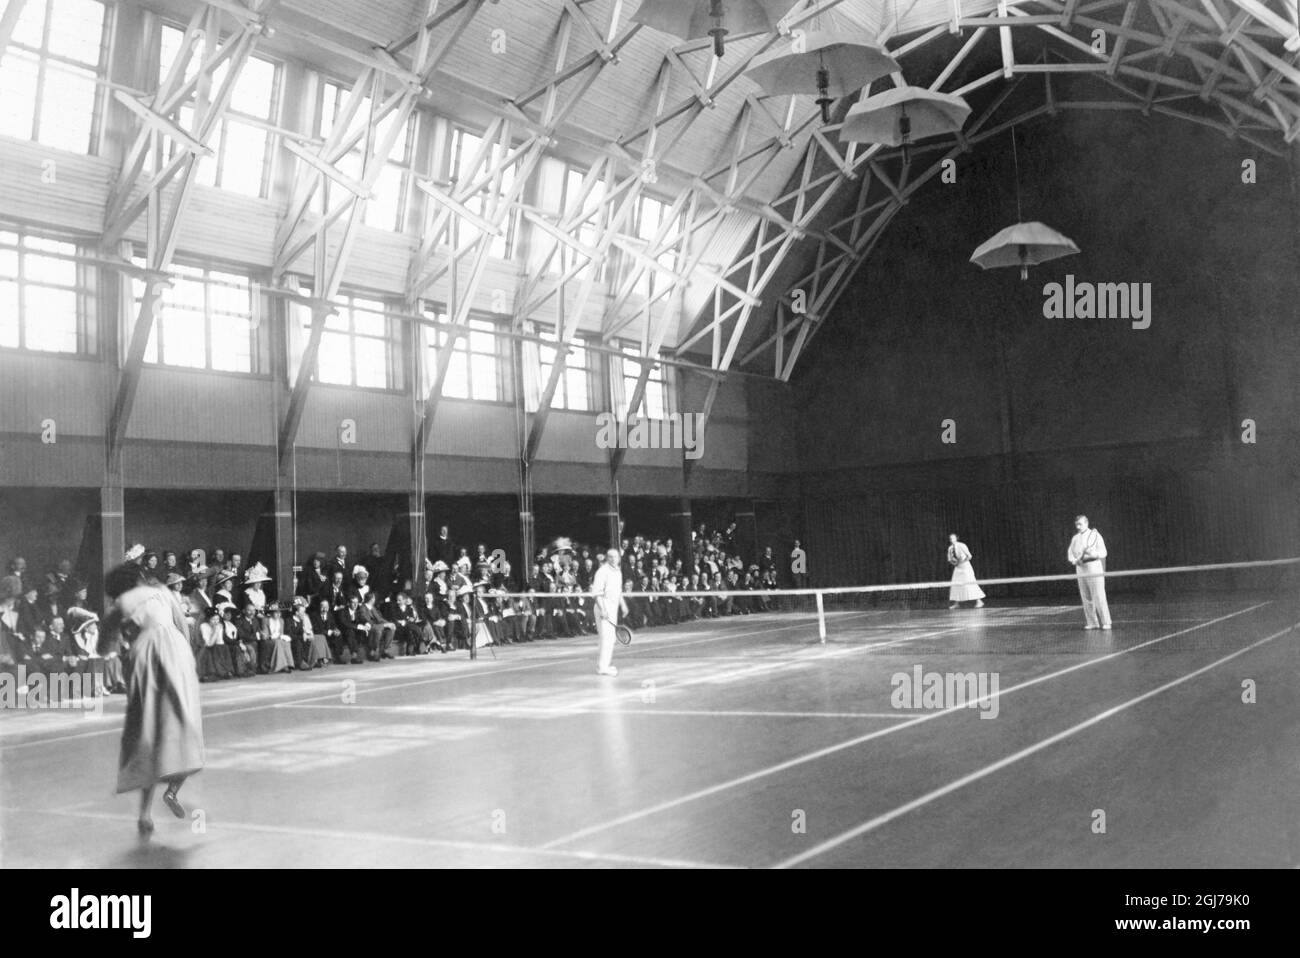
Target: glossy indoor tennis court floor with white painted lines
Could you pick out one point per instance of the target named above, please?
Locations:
(730, 744)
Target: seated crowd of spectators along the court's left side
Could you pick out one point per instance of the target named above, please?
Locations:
(350, 612)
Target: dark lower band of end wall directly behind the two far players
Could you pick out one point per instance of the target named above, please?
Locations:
(1024, 528)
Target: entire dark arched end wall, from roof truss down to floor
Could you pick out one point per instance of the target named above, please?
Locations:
(1141, 428)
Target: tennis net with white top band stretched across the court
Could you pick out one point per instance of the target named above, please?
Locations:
(1025, 614)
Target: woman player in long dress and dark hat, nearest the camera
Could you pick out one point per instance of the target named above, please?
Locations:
(163, 738)
